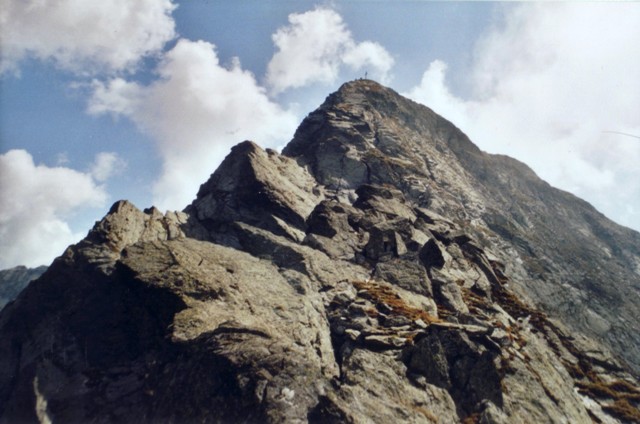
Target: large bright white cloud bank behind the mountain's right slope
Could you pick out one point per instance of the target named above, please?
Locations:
(547, 85)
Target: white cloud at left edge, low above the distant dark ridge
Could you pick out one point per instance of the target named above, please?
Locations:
(36, 201)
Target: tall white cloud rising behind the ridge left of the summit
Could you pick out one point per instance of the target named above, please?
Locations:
(196, 110)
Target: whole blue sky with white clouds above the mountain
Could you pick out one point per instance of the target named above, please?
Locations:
(142, 100)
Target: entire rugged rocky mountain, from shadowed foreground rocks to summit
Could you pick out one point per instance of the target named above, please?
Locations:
(381, 269)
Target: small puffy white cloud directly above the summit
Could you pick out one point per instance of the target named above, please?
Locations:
(314, 47)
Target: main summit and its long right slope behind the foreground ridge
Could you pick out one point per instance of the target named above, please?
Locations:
(562, 253)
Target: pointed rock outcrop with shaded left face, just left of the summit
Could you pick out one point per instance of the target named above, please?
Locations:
(260, 188)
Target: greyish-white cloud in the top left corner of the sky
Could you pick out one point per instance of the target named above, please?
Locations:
(84, 36)
